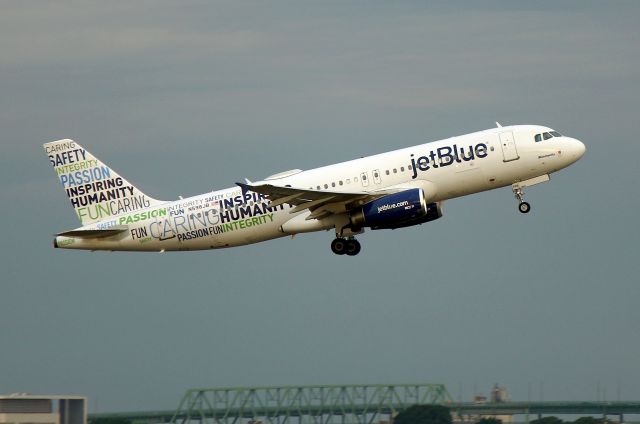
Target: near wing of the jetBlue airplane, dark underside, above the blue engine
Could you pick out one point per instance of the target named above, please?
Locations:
(319, 203)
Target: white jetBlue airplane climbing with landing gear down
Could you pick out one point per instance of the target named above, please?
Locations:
(397, 189)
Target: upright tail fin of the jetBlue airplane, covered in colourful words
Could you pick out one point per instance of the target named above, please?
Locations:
(96, 191)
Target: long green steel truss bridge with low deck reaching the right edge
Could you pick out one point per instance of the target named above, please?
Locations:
(348, 404)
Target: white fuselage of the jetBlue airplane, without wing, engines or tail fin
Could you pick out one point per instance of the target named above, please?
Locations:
(444, 169)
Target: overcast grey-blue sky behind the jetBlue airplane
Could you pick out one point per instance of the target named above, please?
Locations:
(186, 97)
